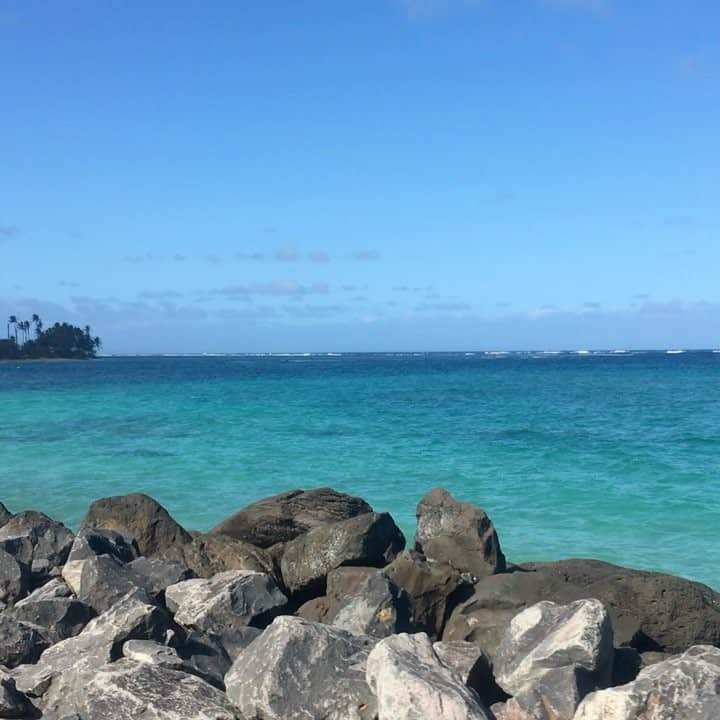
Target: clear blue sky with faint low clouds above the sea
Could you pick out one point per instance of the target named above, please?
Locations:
(363, 176)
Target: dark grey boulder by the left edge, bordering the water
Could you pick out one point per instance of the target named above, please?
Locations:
(50, 540)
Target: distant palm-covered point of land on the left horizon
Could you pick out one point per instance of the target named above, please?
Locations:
(28, 340)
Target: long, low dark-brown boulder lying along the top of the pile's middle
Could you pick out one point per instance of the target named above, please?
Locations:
(284, 517)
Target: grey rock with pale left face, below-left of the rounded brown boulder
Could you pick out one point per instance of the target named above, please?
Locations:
(99, 581)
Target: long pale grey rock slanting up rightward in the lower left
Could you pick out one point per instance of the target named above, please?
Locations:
(67, 664)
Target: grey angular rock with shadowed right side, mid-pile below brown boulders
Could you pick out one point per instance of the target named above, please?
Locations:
(377, 608)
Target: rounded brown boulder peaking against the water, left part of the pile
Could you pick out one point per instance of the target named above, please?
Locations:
(139, 516)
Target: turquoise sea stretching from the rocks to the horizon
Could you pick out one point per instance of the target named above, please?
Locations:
(611, 456)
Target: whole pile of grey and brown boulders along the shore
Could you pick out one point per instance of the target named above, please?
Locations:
(307, 605)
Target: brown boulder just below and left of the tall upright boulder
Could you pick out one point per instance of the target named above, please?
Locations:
(434, 587)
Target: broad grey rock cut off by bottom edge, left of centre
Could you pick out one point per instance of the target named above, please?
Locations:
(128, 689)
